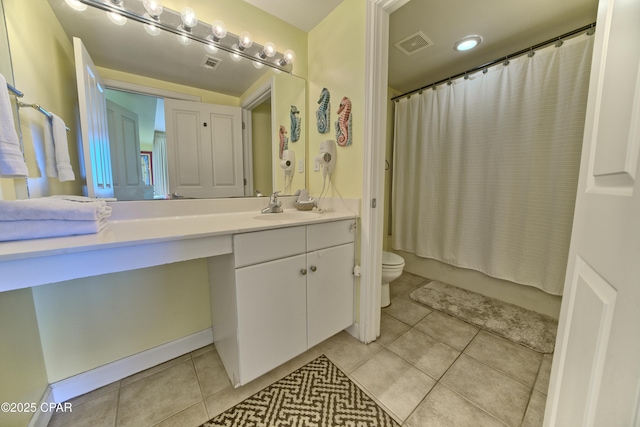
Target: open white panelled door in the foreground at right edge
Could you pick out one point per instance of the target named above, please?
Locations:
(595, 377)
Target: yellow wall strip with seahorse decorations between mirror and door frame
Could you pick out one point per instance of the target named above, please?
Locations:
(337, 62)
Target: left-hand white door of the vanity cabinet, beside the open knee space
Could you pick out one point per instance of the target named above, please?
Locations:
(272, 315)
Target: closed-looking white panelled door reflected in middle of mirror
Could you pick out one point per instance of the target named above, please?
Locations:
(204, 149)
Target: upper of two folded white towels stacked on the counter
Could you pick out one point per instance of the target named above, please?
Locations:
(55, 208)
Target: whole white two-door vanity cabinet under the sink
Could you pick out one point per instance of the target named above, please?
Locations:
(287, 290)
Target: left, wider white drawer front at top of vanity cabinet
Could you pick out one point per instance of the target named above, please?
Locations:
(262, 246)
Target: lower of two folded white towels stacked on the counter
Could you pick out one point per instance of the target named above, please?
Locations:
(37, 229)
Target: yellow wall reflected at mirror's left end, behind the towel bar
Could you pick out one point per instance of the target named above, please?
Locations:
(34, 32)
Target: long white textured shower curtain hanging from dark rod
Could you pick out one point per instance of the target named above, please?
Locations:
(485, 169)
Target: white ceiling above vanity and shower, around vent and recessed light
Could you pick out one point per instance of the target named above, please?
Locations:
(506, 26)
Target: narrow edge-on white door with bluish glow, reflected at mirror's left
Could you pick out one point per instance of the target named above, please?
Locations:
(96, 156)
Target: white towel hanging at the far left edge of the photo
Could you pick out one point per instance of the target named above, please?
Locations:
(12, 163)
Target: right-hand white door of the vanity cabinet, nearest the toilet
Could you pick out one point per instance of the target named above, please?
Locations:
(330, 289)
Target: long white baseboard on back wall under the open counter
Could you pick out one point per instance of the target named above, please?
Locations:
(104, 375)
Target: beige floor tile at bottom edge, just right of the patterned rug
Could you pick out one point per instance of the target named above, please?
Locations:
(444, 408)
